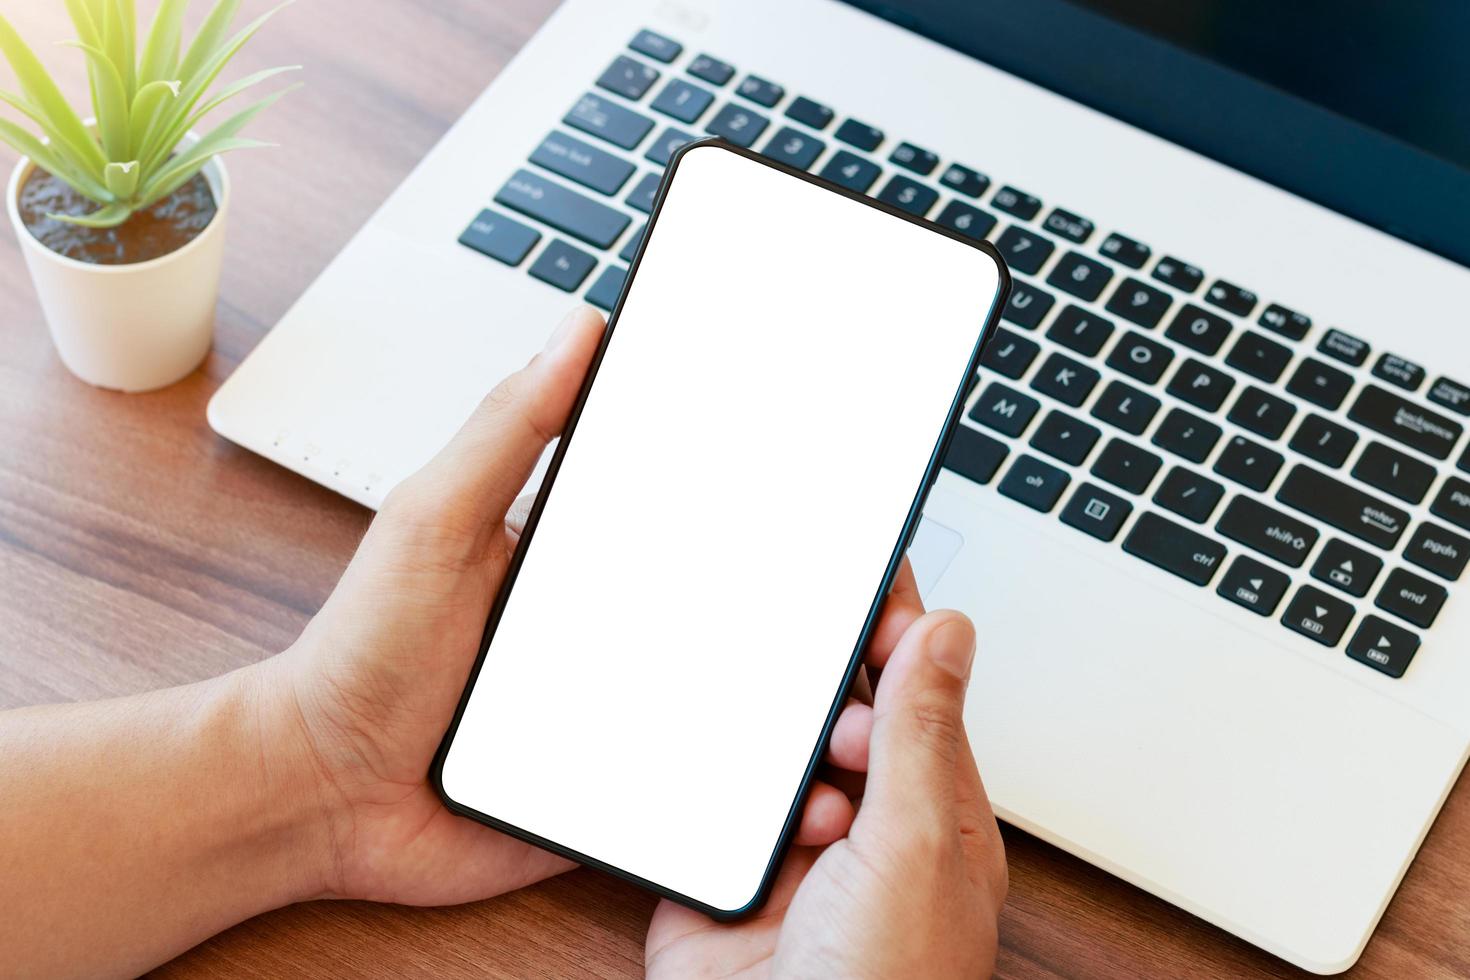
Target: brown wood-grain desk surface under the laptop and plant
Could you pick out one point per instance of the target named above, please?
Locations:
(139, 550)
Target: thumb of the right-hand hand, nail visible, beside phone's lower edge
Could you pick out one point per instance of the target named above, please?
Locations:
(918, 740)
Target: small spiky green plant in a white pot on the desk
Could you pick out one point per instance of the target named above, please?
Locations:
(121, 217)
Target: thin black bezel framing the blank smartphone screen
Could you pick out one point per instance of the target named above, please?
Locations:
(855, 662)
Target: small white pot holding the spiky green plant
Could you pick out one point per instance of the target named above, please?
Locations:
(137, 327)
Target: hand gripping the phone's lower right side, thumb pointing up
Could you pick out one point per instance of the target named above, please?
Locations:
(915, 885)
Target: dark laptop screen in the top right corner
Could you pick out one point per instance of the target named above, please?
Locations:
(1358, 105)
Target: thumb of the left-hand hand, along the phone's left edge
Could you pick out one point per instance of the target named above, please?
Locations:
(492, 458)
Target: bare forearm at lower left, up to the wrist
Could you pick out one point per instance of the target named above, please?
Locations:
(135, 829)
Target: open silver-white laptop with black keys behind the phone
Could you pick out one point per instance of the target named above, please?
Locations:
(1211, 506)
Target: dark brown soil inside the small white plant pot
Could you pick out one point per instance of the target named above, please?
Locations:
(167, 227)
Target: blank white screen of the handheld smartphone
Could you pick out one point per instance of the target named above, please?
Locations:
(728, 505)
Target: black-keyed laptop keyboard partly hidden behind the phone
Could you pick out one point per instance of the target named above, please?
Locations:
(1137, 397)
